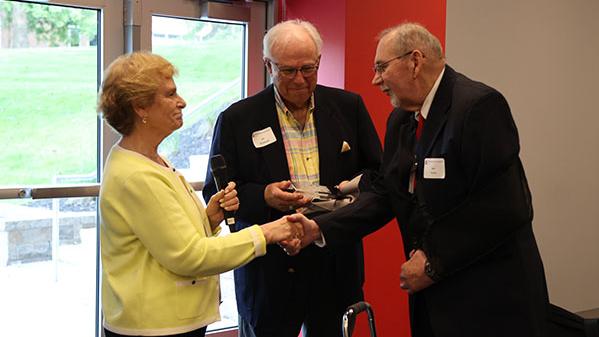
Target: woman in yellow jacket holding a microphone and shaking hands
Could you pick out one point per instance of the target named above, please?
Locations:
(161, 253)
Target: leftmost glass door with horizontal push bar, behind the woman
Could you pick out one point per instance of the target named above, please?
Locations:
(51, 56)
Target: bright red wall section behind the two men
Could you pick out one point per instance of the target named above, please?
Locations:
(349, 29)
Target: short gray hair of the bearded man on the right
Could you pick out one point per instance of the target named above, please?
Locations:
(409, 36)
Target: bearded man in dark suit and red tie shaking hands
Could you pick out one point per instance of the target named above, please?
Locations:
(452, 177)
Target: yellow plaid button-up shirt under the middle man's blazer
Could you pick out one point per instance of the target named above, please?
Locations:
(301, 145)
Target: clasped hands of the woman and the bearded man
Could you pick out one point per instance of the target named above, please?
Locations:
(291, 232)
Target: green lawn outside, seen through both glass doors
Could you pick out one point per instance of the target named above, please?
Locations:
(48, 122)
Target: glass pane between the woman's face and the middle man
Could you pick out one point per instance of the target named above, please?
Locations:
(210, 60)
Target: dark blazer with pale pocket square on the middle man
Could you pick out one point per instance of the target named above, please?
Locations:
(261, 286)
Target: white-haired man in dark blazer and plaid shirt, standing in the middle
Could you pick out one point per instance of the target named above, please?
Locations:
(294, 131)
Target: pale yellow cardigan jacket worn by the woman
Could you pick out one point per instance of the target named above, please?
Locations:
(160, 258)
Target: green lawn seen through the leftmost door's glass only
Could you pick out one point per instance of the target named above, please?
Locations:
(47, 117)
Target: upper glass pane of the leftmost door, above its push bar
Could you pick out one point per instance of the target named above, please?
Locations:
(49, 80)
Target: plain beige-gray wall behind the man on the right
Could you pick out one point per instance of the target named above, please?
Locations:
(543, 56)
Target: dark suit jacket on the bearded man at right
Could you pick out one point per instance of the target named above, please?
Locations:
(474, 225)
